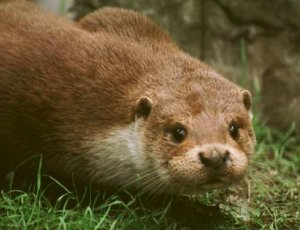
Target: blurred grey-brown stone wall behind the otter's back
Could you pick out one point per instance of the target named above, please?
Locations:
(254, 43)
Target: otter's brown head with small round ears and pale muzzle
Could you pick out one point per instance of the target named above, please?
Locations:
(196, 135)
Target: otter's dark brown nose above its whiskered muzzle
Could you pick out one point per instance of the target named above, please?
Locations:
(214, 158)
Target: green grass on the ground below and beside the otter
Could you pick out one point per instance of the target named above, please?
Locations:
(275, 181)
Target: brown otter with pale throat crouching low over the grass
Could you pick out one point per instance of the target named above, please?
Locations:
(111, 100)
